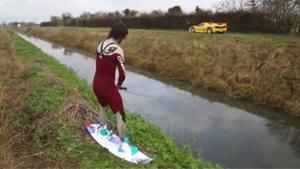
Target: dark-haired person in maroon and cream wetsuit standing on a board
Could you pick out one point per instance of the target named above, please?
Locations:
(109, 57)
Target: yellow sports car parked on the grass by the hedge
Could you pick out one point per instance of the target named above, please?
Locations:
(209, 27)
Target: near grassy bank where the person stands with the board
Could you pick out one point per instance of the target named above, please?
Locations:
(43, 108)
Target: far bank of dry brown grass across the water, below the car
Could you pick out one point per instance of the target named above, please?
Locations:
(264, 68)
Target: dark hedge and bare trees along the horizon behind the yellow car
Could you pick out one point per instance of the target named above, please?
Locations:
(266, 16)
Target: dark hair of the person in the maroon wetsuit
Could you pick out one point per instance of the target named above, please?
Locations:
(118, 31)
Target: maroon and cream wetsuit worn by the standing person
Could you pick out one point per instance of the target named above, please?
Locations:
(109, 57)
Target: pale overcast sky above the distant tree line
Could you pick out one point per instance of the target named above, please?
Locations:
(41, 10)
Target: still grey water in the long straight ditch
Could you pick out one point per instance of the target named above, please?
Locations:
(248, 136)
